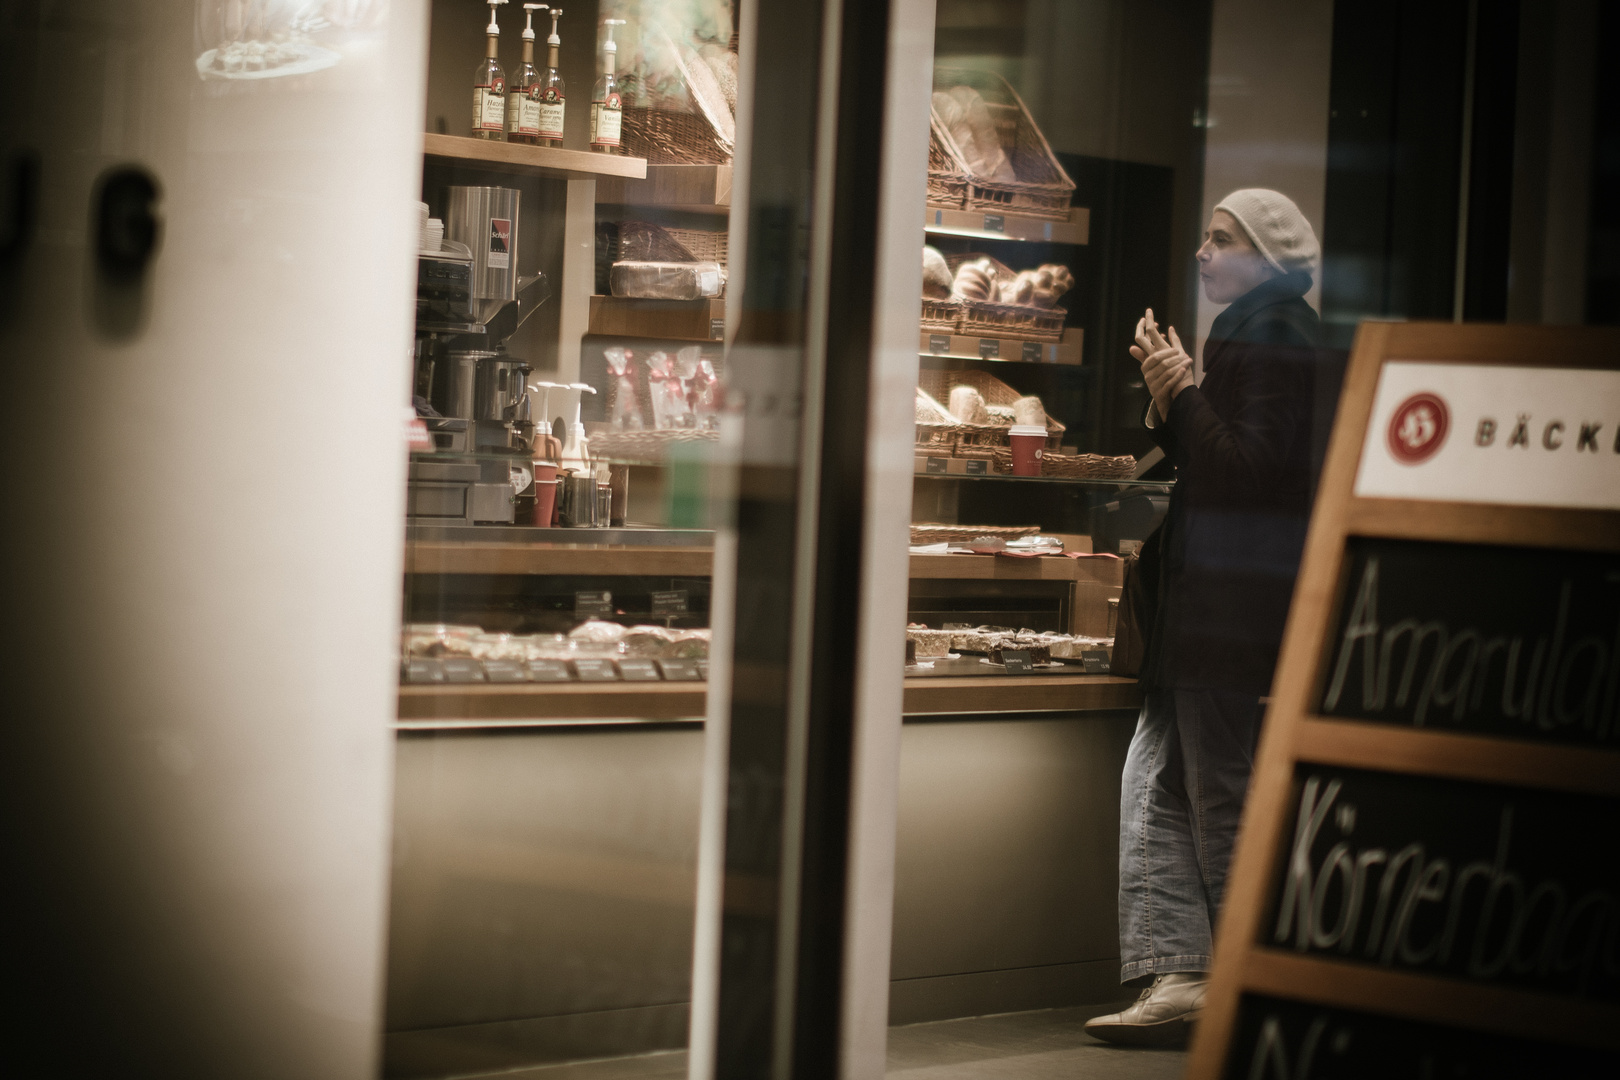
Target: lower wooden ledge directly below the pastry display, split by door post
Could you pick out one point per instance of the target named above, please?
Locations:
(673, 702)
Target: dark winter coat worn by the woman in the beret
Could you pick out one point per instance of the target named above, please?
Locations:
(1226, 558)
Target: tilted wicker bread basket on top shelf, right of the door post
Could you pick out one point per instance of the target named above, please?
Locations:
(1042, 187)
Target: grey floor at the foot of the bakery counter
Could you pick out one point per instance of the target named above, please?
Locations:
(1025, 1045)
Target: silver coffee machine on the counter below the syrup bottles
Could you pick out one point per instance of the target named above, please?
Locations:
(469, 391)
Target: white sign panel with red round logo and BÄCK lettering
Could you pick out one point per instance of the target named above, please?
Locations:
(1485, 433)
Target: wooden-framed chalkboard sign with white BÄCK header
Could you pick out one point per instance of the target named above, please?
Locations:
(1428, 880)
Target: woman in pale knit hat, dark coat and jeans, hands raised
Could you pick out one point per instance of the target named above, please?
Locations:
(1221, 574)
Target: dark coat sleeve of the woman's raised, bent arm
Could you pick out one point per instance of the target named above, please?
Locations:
(1248, 453)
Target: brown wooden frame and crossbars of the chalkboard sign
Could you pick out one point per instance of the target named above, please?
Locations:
(1295, 734)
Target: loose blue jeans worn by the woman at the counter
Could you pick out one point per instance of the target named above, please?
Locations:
(1180, 804)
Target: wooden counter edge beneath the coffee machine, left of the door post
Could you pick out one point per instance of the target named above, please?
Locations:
(558, 559)
